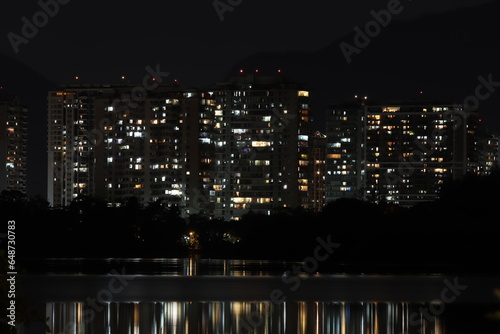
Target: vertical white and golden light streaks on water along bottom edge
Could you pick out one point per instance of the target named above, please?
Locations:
(241, 317)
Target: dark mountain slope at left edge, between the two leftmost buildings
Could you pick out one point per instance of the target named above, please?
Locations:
(31, 88)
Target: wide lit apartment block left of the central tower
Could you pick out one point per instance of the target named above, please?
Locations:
(104, 143)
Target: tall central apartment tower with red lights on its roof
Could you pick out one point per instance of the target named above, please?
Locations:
(261, 145)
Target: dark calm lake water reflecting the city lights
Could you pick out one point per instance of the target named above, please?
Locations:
(159, 296)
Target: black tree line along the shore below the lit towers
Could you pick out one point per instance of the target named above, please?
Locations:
(461, 229)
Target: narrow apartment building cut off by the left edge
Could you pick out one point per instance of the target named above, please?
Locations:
(13, 143)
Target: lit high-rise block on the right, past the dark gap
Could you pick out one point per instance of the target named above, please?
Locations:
(400, 153)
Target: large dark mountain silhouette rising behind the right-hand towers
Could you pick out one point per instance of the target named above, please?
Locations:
(441, 54)
